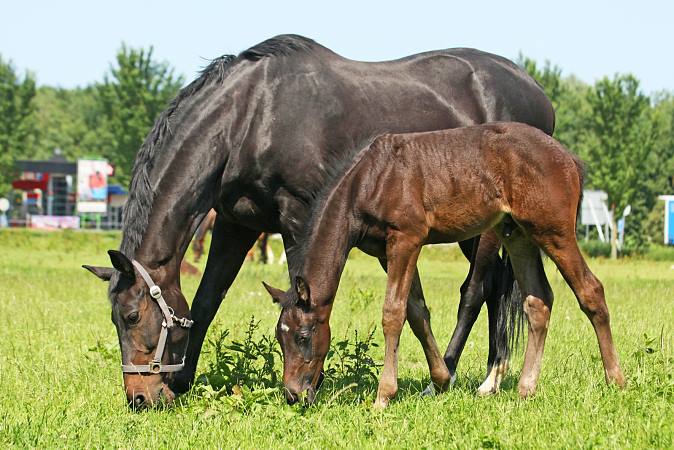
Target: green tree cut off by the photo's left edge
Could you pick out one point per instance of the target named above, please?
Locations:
(16, 119)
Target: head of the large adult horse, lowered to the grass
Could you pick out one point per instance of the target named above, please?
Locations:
(138, 319)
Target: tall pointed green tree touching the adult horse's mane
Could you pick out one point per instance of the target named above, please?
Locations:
(133, 93)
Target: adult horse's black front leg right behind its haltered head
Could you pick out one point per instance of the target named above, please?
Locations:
(229, 246)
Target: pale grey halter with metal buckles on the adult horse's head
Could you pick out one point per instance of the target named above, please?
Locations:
(170, 320)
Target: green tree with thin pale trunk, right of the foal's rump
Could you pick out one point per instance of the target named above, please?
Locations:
(619, 143)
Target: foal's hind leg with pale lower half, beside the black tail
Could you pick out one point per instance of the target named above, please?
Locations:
(530, 274)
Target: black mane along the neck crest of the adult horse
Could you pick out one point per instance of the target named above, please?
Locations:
(141, 193)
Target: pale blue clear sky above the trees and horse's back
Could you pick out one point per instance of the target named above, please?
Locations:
(71, 43)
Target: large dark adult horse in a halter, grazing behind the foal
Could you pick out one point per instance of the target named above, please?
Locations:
(256, 136)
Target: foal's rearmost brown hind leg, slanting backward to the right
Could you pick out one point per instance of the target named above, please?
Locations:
(563, 250)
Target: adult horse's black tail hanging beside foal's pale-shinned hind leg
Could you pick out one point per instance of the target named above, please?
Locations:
(510, 320)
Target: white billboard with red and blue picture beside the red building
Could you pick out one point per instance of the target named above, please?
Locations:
(92, 186)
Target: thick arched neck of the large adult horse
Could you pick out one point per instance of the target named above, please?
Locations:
(177, 172)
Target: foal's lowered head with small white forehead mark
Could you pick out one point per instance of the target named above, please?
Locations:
(303, 331)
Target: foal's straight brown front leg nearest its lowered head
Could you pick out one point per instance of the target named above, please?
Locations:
(402, 253)
